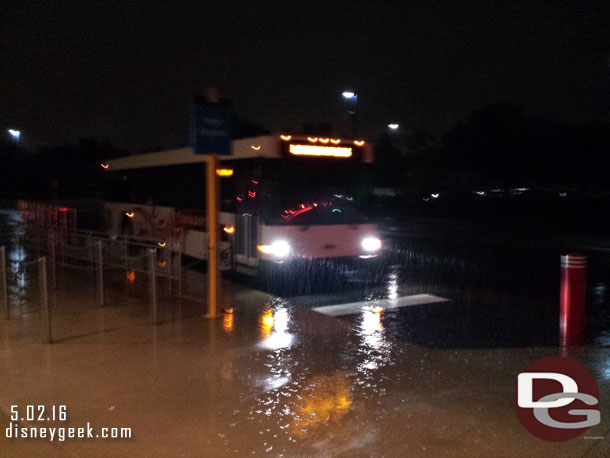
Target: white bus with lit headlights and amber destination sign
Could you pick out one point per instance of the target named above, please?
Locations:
(283, 198)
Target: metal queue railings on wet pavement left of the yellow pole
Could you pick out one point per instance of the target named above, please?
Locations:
(93, 252)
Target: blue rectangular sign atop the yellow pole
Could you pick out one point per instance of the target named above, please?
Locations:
(210, 127)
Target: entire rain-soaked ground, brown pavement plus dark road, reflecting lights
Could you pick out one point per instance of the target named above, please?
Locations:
(273, 377)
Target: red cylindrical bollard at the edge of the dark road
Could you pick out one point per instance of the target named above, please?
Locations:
(572, 300)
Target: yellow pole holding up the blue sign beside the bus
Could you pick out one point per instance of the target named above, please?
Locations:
(212, 207)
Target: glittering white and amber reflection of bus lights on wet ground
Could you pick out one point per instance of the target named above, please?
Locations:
(299, 401)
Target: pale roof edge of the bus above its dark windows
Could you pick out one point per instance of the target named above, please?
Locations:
(267, 146)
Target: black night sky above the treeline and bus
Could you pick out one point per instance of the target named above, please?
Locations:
(122, 72)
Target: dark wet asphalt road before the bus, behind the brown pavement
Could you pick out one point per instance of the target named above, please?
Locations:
(503, 286)
